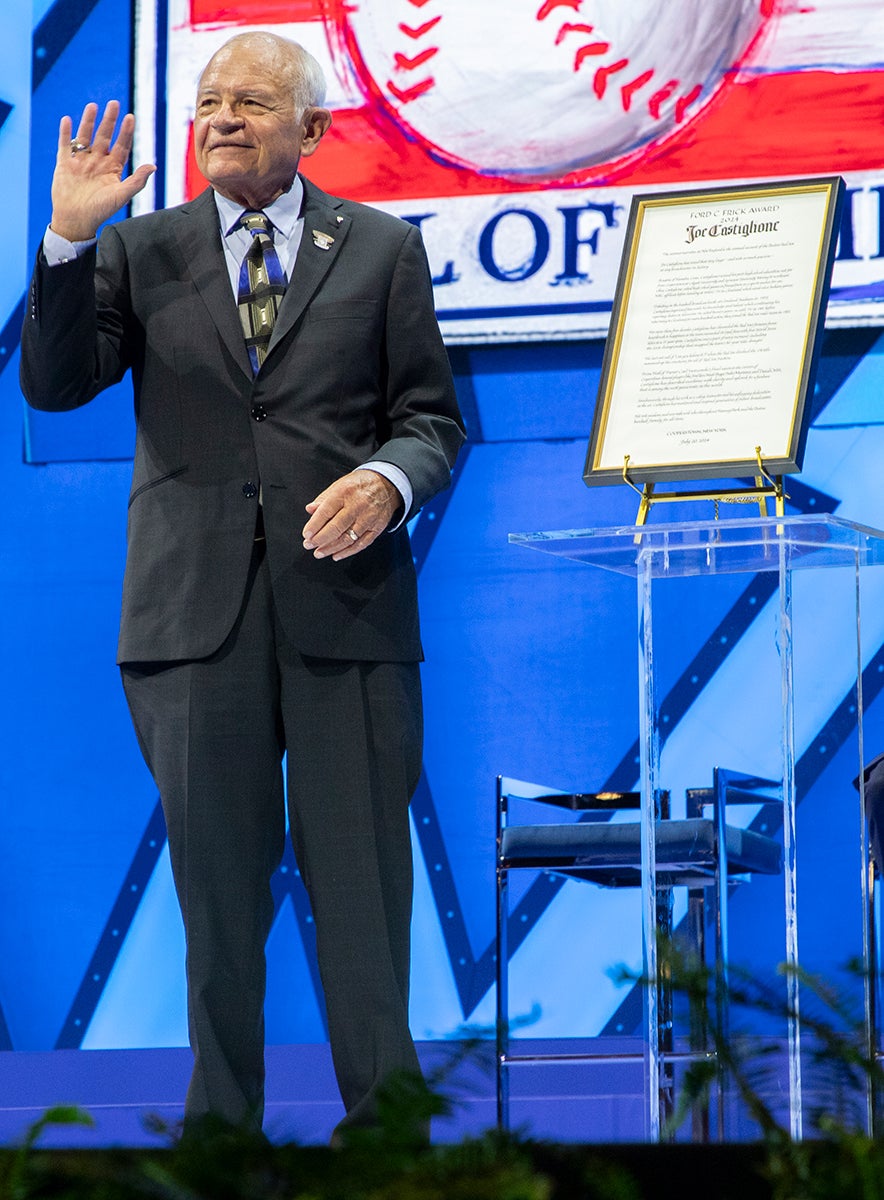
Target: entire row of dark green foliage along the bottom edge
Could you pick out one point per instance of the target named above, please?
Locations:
(394, 1161)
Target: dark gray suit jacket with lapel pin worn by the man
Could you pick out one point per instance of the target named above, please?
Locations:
(357, 371)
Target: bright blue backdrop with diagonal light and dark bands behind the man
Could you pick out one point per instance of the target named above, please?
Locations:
(531, 671)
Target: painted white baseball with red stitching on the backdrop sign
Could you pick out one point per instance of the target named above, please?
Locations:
(539, 88)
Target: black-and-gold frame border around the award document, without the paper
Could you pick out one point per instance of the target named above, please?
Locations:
(762, 463)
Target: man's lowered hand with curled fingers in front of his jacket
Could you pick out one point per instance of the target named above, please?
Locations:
(351, 514)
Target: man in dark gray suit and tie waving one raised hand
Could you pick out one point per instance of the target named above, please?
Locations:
(240, 640)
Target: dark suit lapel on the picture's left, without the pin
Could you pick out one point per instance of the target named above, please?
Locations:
(200, 241)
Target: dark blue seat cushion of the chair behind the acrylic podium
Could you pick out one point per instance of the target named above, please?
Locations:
(611, 854)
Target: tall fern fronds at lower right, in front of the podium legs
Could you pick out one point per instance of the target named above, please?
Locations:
(838, 1157)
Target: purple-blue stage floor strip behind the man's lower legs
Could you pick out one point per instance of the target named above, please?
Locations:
(128, 1094)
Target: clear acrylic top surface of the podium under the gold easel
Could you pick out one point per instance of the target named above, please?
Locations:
(717, 548)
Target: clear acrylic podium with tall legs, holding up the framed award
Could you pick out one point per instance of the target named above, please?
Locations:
(834, 559)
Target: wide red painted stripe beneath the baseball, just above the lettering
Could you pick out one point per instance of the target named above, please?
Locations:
(815, 123)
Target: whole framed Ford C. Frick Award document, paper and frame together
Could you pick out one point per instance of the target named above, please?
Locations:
(714, 338)
